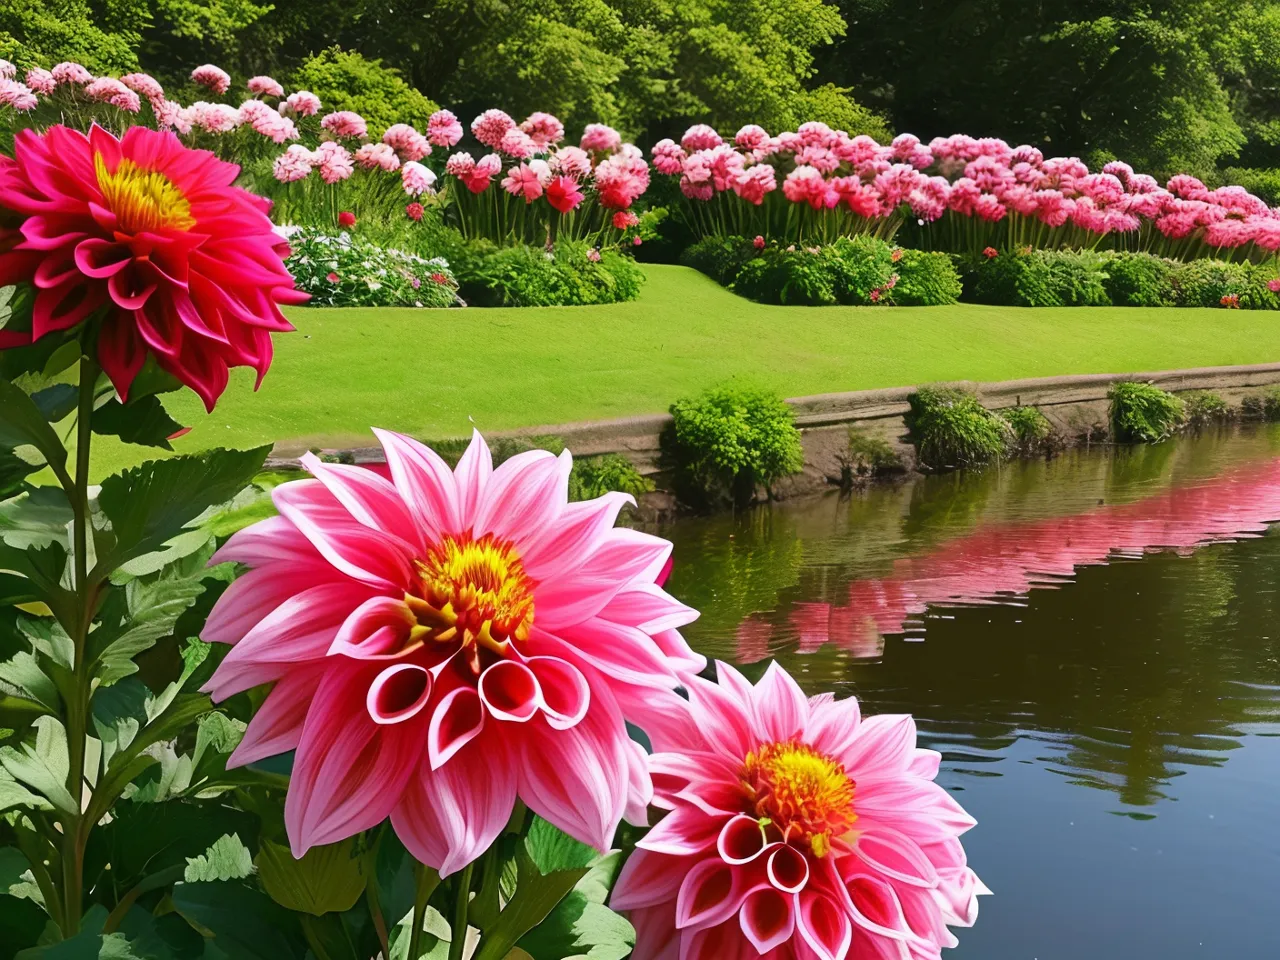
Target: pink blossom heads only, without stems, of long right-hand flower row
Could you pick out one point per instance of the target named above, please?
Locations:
(989, 180)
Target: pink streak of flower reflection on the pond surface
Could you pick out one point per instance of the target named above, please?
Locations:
(1003, 561)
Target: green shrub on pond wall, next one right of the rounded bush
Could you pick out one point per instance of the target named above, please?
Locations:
(952, 429)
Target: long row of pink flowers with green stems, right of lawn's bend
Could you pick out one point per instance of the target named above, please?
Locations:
(956, 194)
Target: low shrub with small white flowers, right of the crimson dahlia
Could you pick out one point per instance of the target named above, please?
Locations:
(346, 271)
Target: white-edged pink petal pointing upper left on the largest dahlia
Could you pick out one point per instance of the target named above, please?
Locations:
(362, 554)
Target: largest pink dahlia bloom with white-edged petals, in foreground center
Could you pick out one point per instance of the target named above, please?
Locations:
(445, 642)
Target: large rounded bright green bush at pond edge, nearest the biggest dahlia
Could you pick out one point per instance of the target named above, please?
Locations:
(732, 440)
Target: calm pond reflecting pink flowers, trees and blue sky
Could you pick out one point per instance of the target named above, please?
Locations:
(1094, 644)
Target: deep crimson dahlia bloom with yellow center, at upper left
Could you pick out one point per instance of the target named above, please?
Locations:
(157, 241)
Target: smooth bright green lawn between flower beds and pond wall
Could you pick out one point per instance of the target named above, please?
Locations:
(435, 373)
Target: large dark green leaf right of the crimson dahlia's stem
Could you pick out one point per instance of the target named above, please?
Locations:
(152, 504)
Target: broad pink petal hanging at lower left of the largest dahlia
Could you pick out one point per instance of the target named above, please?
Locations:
(350, 772)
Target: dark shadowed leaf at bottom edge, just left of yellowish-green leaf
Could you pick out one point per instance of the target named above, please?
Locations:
(246, 925)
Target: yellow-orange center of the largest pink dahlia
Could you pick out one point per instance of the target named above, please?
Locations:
(474, 592)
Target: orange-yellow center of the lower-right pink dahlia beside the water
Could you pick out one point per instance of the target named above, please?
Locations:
(802, 793)
